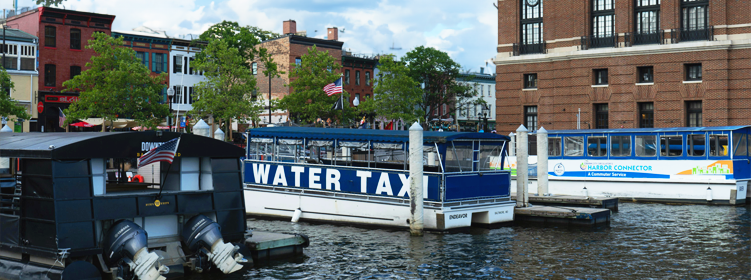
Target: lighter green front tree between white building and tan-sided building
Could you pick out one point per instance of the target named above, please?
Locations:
(226, 93)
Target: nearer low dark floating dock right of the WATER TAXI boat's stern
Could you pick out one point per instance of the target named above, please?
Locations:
(578, 216)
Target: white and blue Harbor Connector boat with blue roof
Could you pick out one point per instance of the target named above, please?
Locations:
(678, 164)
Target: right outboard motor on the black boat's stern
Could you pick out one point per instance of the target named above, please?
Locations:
(202, 236)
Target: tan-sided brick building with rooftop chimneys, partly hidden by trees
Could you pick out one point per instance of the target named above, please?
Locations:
(287, 51)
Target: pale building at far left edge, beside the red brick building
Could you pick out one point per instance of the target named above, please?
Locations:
(20, 61)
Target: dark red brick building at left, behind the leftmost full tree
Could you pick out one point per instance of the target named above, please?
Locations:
(62, 55)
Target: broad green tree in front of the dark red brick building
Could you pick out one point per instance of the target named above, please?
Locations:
(115, 85)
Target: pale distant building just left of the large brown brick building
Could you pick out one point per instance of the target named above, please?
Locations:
(471, 115)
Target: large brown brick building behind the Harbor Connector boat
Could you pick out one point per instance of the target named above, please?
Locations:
(623, 63)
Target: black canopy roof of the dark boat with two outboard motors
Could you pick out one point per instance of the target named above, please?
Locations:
(82, 145)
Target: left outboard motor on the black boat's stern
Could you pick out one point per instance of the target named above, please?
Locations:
(127, 242)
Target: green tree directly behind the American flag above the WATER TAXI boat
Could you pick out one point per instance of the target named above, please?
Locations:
(308, 101)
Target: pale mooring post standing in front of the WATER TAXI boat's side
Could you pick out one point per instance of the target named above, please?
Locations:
(416, 224)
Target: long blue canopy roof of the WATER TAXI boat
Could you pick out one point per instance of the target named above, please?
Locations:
(397, 136)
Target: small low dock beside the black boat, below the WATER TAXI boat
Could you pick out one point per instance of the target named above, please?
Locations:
(265, 247)
